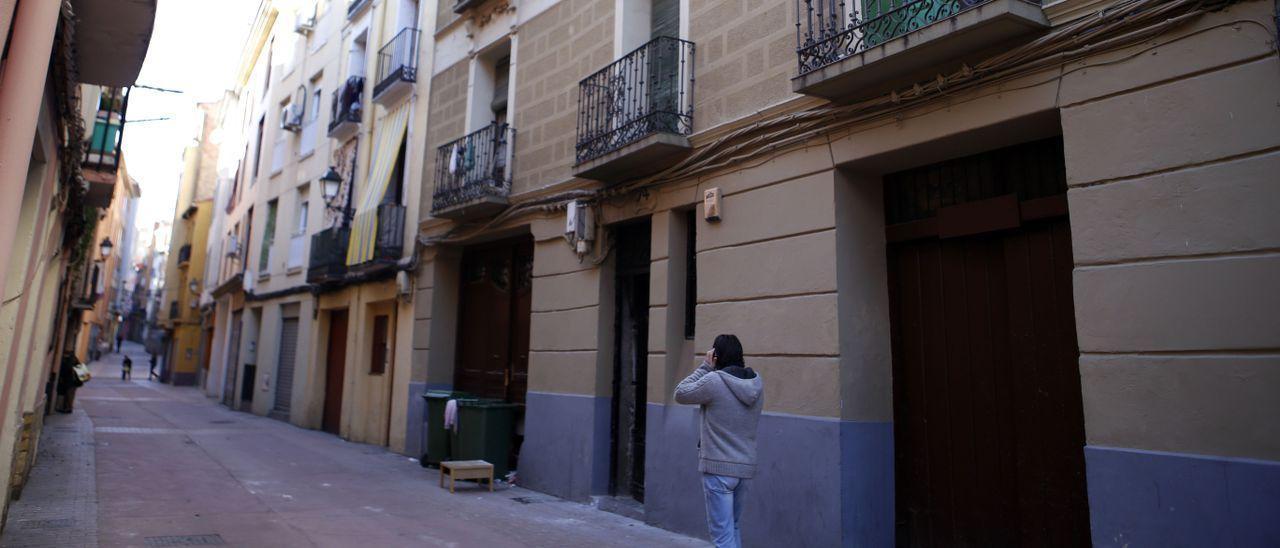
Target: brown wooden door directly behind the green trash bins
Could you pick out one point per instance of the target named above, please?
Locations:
(493, 332)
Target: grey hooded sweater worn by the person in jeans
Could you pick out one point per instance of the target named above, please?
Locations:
(732, 400)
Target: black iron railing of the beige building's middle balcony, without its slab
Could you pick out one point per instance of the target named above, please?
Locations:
(646, 93)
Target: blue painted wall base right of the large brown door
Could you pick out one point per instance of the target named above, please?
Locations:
(1159, 499)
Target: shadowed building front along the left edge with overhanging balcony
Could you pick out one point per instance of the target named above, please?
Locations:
(65, 79)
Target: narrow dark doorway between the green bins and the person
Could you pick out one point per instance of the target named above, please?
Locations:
(630, 359)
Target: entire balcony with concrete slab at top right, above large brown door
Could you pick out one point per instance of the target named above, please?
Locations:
(849, 56)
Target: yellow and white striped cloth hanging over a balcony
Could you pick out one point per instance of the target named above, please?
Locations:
(364, 229)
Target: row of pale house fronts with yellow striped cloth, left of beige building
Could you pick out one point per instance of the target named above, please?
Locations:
(308, 280)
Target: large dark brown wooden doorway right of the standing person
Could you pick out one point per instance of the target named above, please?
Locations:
(988, 415)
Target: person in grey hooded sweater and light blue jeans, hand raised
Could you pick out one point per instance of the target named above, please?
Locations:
(732, 398)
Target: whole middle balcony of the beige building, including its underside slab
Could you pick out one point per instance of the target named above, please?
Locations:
(636, 116)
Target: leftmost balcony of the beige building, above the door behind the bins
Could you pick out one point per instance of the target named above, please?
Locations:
(472, 175)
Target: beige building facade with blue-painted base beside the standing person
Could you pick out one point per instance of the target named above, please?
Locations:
(1000, 264)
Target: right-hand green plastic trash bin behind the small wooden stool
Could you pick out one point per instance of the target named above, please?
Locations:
(484, 433)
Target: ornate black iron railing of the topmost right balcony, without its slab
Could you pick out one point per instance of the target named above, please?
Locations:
(828, 31)
